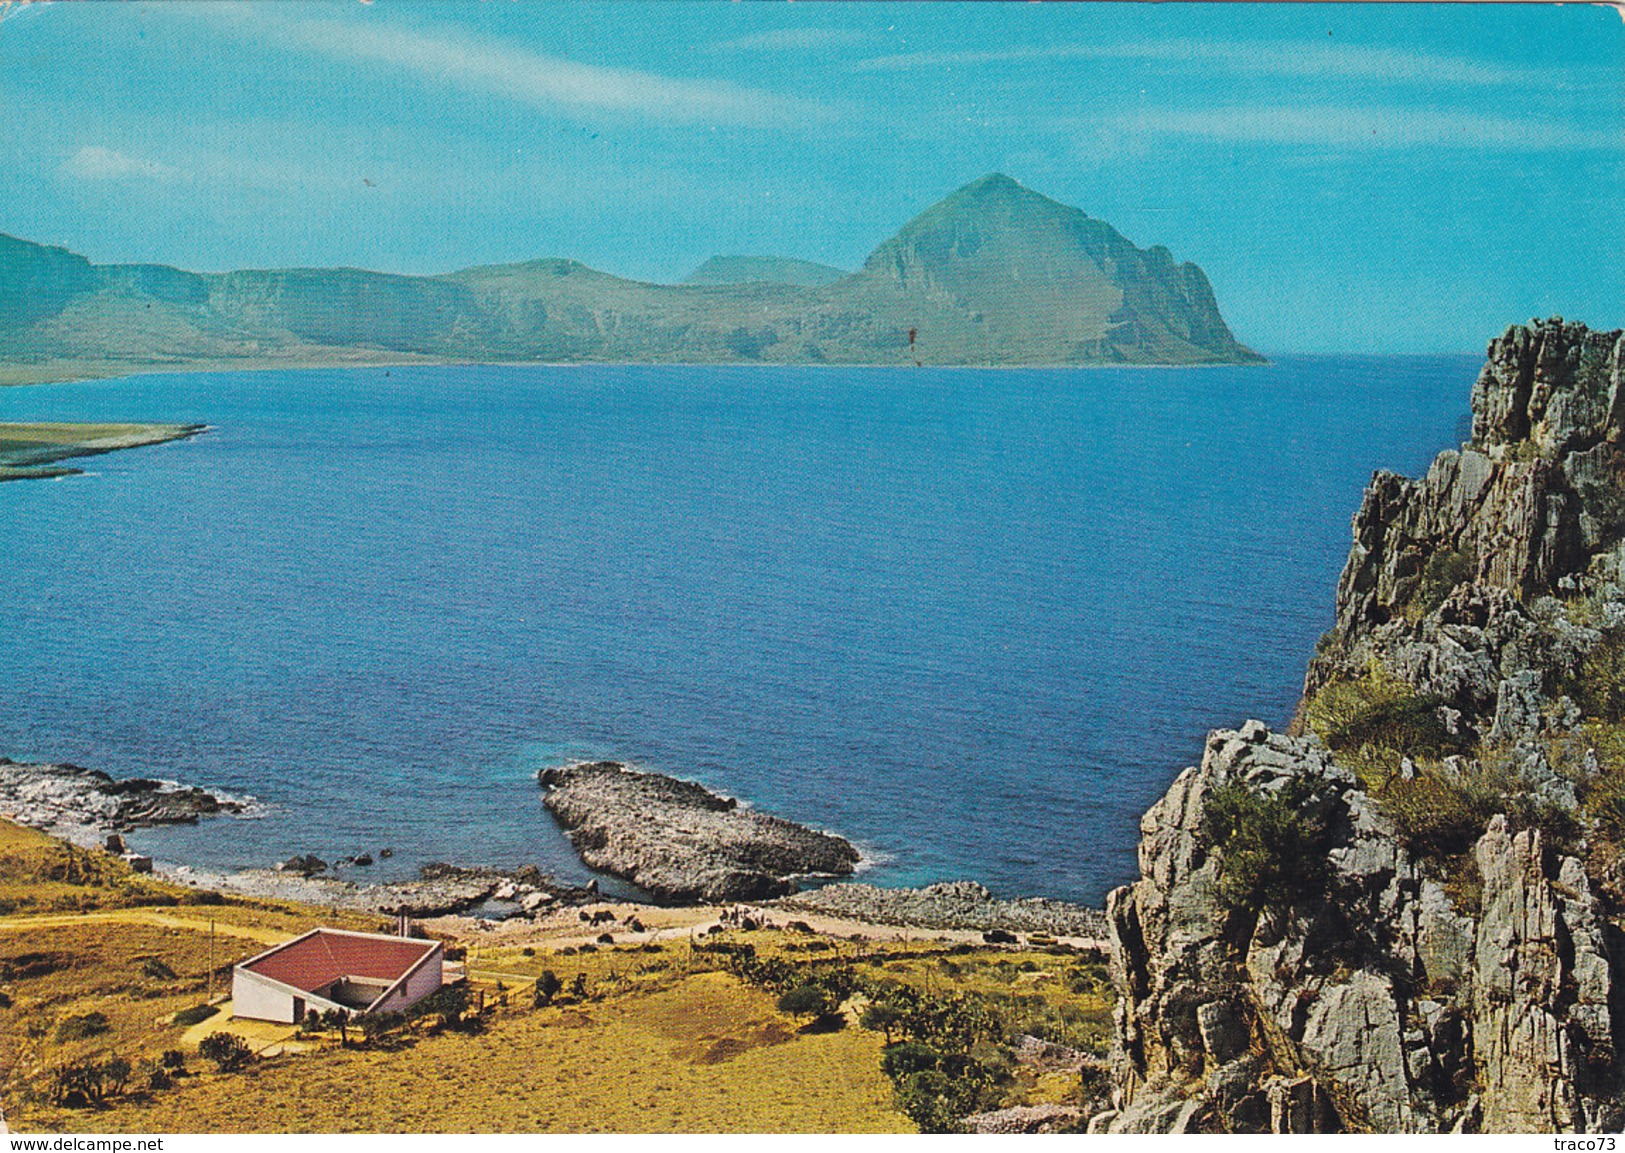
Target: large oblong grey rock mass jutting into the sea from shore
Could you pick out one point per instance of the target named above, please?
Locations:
(680, 842)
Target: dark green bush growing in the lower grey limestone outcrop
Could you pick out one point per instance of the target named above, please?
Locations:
(1272, 849)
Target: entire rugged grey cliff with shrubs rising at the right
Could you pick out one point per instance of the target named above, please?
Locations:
(1403, 917)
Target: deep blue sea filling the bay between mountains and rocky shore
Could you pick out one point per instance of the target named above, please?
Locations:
(973, 620)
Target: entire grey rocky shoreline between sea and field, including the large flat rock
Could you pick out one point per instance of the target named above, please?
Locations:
(683, 845)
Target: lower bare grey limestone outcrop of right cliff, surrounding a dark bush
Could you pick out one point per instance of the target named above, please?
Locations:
(1369, 1003)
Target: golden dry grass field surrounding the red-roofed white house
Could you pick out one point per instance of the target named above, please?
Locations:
(97, 964)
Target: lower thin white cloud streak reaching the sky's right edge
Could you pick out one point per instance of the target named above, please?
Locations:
(1369, 127)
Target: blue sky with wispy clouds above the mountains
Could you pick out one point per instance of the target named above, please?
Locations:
(1353, 178)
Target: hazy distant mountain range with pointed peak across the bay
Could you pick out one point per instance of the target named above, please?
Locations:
(994, 275)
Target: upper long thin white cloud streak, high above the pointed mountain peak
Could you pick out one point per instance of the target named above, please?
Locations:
(1306, 59)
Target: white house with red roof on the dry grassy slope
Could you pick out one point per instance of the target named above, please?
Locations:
(336, 969)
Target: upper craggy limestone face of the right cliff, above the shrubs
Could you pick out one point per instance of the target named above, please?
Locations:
(1452, 577)
